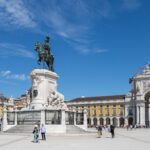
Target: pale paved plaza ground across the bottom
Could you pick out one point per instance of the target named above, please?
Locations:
(138, 139)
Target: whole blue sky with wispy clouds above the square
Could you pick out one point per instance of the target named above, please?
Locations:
(98, 45)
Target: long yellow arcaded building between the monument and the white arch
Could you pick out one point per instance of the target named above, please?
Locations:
(101, 110)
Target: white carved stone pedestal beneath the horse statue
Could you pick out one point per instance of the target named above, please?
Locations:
(44, 90)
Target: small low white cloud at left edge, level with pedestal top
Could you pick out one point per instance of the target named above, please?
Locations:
(9, 75)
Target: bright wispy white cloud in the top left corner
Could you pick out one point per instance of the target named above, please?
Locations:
(14, 12)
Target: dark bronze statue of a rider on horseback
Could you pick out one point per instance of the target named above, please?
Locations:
(44, 54)
